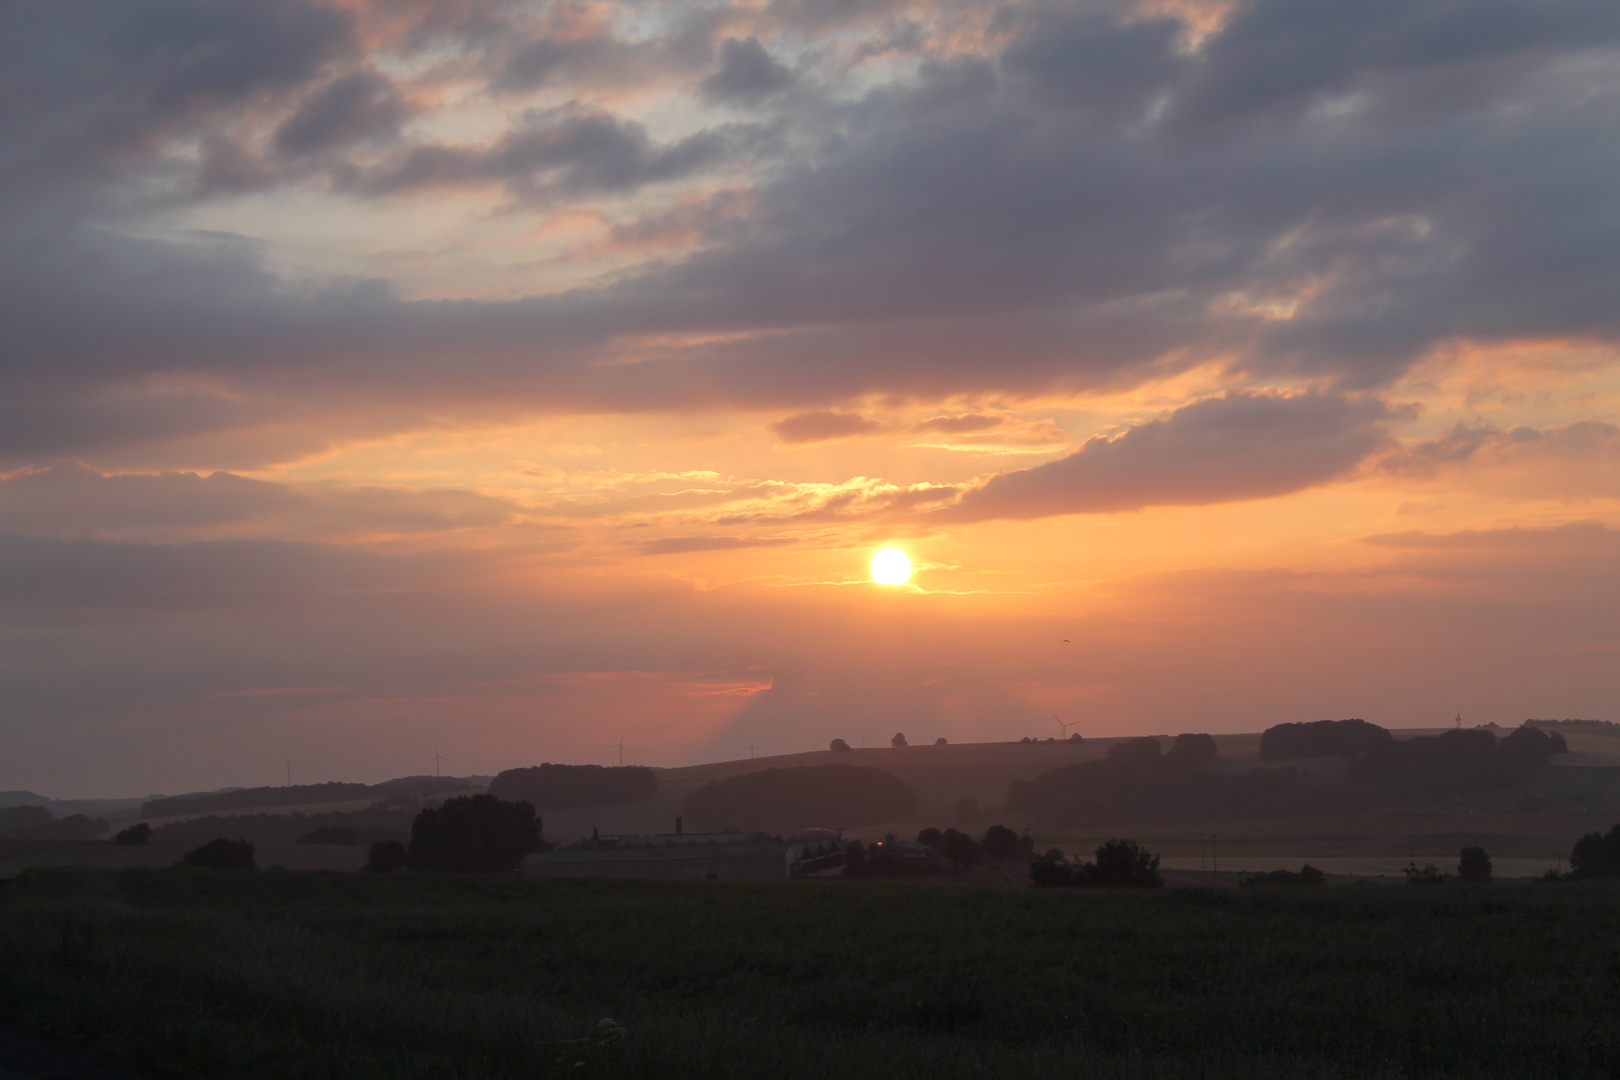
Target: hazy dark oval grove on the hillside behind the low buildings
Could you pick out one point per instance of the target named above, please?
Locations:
(782, 801)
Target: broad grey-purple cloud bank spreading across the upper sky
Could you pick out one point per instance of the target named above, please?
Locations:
(1085, 202)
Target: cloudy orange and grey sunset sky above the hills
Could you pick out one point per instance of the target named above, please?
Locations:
(508, 381)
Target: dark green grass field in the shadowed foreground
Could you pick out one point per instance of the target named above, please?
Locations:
(322, 976)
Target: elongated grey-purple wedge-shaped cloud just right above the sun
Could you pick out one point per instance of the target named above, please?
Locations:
(1230, 448)
